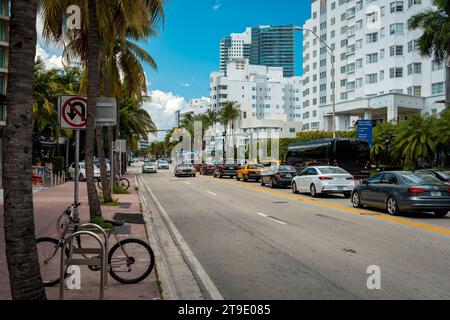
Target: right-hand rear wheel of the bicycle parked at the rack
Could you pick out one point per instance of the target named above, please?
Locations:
(130, 261)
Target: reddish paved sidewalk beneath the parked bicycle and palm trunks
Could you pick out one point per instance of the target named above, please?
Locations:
(48, 205)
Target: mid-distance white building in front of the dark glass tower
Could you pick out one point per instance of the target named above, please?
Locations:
(268, 101)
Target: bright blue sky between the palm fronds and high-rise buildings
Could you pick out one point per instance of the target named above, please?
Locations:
(187, 48)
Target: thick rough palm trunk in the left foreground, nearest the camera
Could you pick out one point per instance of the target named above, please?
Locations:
(21, 254)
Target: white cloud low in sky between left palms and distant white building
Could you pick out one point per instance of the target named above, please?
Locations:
(162, 108)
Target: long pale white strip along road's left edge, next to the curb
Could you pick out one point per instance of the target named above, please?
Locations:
(205, 283)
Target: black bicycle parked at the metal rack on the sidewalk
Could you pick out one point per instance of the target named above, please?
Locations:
(126, 258)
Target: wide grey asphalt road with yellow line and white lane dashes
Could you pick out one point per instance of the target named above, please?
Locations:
(259, 243)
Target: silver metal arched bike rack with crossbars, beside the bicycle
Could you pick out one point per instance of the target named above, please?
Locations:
(101, 261)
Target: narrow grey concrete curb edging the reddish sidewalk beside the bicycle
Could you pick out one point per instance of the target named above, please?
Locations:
(167, 286)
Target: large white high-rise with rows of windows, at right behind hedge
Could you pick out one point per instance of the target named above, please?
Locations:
(379, 73)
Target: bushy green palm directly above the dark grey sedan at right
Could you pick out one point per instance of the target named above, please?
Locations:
(415, 139)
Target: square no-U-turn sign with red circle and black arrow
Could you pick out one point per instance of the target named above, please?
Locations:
(72, 112)
